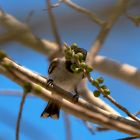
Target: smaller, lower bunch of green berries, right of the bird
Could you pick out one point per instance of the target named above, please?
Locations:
(101, 88)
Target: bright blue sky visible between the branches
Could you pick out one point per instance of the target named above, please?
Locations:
(122, 44)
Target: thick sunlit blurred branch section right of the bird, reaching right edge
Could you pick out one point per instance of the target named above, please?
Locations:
(125, 72)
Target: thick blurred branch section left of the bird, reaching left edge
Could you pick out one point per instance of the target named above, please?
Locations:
(22, 33)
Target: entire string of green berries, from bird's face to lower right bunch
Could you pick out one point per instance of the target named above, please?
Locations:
(79, 66)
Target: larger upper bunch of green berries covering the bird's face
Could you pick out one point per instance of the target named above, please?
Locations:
(79, 64)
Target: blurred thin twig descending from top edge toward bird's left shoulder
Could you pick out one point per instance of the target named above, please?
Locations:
(53, 25)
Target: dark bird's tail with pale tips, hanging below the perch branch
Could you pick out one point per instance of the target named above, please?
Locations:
(52, 110)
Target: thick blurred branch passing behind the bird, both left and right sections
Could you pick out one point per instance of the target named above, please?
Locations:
(110, 67)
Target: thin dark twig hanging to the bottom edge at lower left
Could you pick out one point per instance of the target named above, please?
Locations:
(20, 115)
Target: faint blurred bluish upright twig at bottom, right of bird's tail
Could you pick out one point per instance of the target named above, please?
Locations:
(67, 126)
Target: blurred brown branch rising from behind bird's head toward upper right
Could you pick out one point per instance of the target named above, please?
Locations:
(118, 10)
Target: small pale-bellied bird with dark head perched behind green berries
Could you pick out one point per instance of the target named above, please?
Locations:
(61, 74)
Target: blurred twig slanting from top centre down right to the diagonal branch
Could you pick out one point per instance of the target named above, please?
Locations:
(88, 13)
